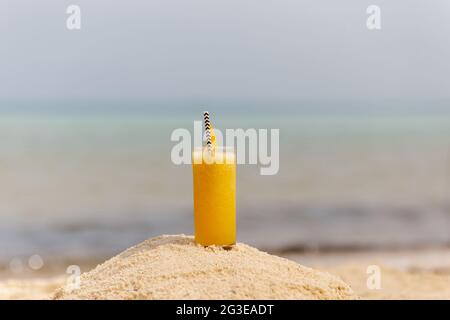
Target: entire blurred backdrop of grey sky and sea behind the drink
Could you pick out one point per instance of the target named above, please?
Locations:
(86, 117)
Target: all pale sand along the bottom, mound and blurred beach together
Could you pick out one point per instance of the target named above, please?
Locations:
(403, 275)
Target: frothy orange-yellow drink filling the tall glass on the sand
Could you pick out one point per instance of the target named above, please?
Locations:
(214, 197)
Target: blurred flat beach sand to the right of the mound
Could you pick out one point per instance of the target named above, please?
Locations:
(404, 274)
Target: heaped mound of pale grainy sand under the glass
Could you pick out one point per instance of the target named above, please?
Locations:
(174, 267)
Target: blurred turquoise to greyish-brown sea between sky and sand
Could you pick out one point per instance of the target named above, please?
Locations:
(91, 183)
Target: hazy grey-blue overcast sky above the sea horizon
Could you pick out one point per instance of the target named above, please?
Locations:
(225, 49)
